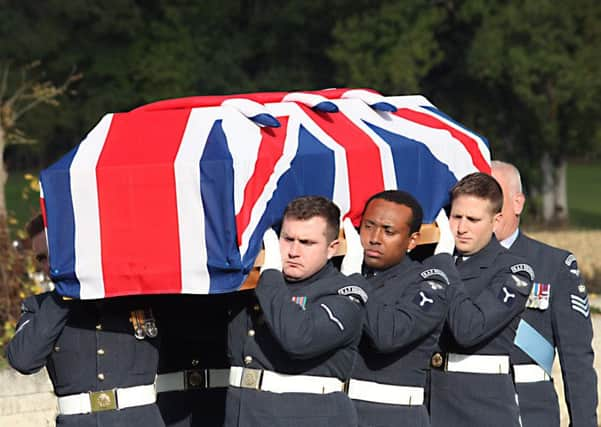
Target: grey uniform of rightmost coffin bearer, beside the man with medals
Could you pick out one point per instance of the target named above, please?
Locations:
(485, 303)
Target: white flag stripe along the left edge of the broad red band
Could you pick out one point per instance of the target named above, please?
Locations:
(84, 193)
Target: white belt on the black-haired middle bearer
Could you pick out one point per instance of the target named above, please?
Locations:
(385, 393)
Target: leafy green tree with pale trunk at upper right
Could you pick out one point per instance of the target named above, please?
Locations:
(545, 54)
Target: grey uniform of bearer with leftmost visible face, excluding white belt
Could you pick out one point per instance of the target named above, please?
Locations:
(310, 327)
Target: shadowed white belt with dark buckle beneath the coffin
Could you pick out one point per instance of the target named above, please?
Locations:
(192, 379)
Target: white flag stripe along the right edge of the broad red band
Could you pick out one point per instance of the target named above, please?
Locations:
(190, 212)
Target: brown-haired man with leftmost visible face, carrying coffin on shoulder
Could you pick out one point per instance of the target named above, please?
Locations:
(293, 349)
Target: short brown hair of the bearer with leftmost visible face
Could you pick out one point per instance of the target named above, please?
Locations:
(307, 207)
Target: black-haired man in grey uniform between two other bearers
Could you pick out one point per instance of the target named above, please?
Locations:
(405, 313)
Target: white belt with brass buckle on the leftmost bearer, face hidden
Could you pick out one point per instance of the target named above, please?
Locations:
(106, 400)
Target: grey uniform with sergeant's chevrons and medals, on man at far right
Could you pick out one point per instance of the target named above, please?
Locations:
(559, 310)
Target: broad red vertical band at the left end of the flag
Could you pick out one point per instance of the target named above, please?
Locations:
(137, 203)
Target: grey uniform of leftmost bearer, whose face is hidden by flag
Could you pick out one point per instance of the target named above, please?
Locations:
(88, 346)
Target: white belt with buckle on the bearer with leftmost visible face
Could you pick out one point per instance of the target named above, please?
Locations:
(274, 382)
